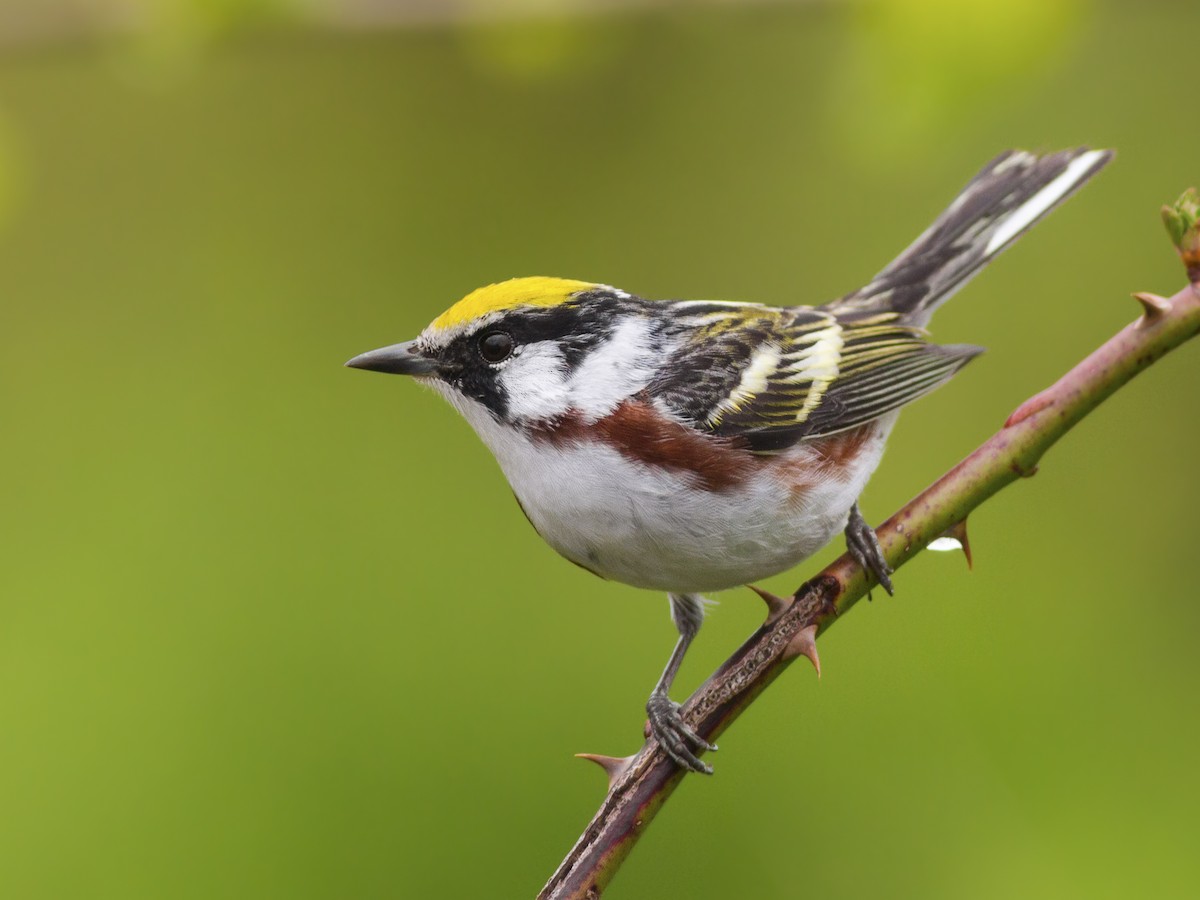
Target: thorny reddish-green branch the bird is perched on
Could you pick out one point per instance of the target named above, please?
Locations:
(639, 785)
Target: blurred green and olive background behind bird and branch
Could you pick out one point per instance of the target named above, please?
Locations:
(275, 629)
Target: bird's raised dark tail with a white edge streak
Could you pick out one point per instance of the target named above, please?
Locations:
(998, 206)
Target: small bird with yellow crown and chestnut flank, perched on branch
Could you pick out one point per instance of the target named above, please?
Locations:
(695, 446)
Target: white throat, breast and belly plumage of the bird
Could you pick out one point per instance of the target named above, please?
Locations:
(653, 529)
